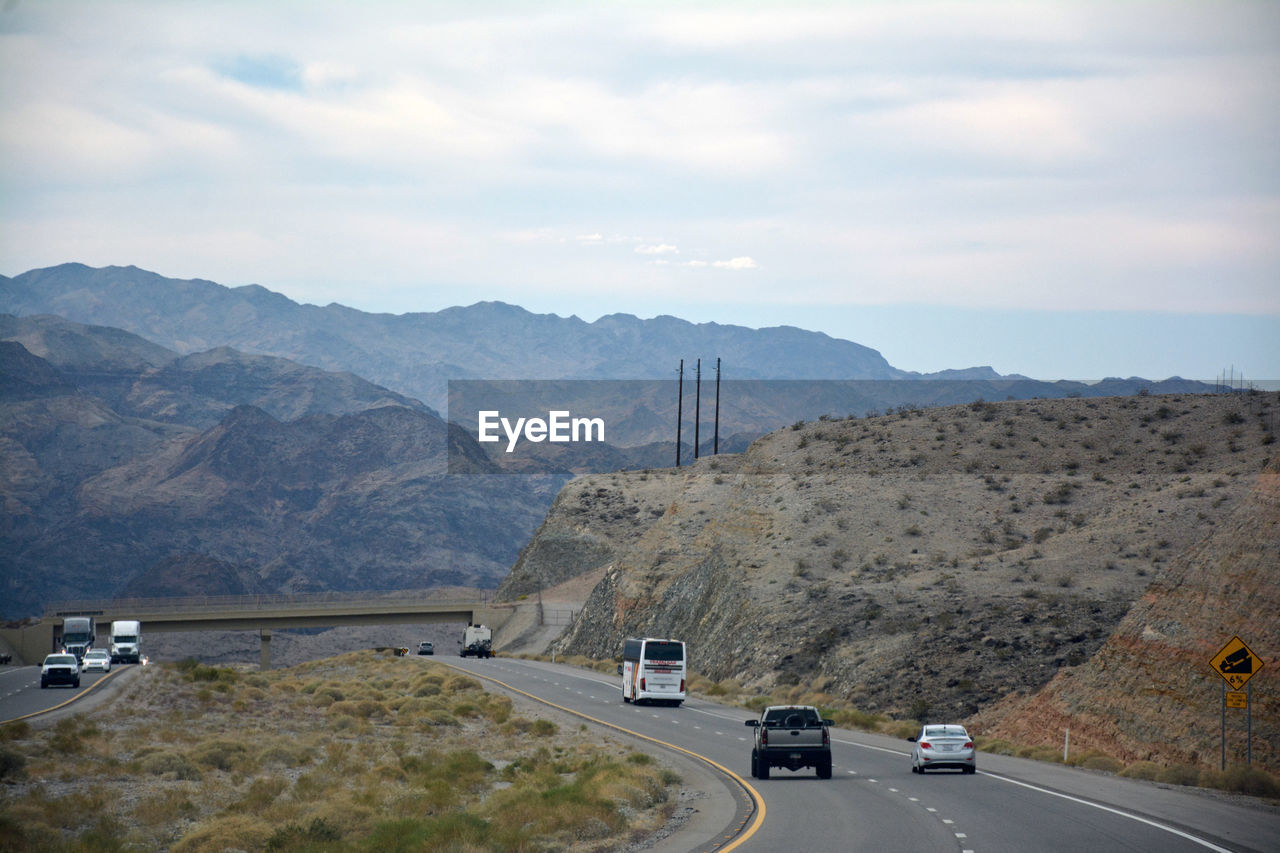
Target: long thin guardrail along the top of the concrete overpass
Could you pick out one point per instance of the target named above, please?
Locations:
(323, 600)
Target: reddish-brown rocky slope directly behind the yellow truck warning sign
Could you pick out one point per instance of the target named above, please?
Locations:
(1153, 676)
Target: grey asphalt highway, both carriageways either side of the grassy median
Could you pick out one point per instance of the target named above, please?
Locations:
(874, 802)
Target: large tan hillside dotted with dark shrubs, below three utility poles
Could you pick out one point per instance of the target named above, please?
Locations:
(925, 563)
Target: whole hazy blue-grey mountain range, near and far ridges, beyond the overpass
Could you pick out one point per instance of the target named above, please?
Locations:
(152, 423)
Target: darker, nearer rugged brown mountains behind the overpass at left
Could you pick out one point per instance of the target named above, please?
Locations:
(118, 467)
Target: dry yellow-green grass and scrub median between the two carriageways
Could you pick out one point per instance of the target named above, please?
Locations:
(360, 752)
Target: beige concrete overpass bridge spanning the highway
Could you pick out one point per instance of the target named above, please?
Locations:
(262, 614)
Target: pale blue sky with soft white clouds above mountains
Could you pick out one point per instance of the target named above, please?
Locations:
(1062, 190)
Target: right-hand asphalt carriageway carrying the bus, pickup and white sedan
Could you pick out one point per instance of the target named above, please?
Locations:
(876, 804)
